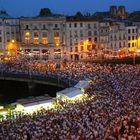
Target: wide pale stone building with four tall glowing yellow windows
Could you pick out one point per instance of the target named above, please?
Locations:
(44, 36)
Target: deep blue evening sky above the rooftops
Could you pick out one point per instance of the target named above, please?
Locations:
(17, 8)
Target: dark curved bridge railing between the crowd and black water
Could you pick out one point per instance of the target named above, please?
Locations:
(38, 78)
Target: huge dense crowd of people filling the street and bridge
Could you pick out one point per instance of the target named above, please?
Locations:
(111, 111)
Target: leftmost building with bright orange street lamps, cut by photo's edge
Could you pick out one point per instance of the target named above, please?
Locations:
(9, 34)
